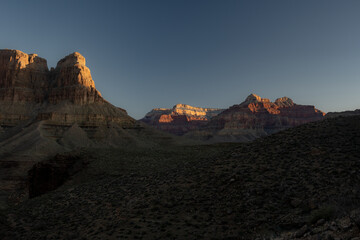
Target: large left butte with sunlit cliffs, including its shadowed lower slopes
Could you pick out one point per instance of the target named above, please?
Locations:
(45, 112)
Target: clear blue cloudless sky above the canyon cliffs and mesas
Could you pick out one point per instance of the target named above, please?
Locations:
(147, 54)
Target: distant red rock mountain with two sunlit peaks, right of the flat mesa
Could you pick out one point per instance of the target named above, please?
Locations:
(256, 117)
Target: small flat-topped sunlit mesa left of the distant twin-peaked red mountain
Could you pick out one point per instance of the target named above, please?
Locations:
(180, 119)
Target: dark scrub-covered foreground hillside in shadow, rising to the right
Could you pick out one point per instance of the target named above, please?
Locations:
(300, 183)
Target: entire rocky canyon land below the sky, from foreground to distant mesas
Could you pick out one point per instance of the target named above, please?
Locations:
(73, 166)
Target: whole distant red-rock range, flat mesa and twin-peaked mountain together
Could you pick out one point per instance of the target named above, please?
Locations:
(253, 118)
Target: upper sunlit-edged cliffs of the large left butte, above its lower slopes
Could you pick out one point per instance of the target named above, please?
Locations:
(66, 94)
